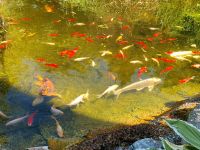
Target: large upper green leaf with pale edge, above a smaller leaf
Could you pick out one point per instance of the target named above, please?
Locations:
(186, 131)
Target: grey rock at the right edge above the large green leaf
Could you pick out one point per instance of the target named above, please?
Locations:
(194, 117)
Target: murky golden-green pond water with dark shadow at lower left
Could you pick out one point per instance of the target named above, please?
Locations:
(40, 32)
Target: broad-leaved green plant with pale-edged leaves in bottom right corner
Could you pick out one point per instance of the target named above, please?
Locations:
(187, 132)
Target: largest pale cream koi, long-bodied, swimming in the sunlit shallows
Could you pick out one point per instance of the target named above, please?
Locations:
(149, 83)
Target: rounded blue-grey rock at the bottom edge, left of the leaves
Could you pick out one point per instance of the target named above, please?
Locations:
(147, 143)
